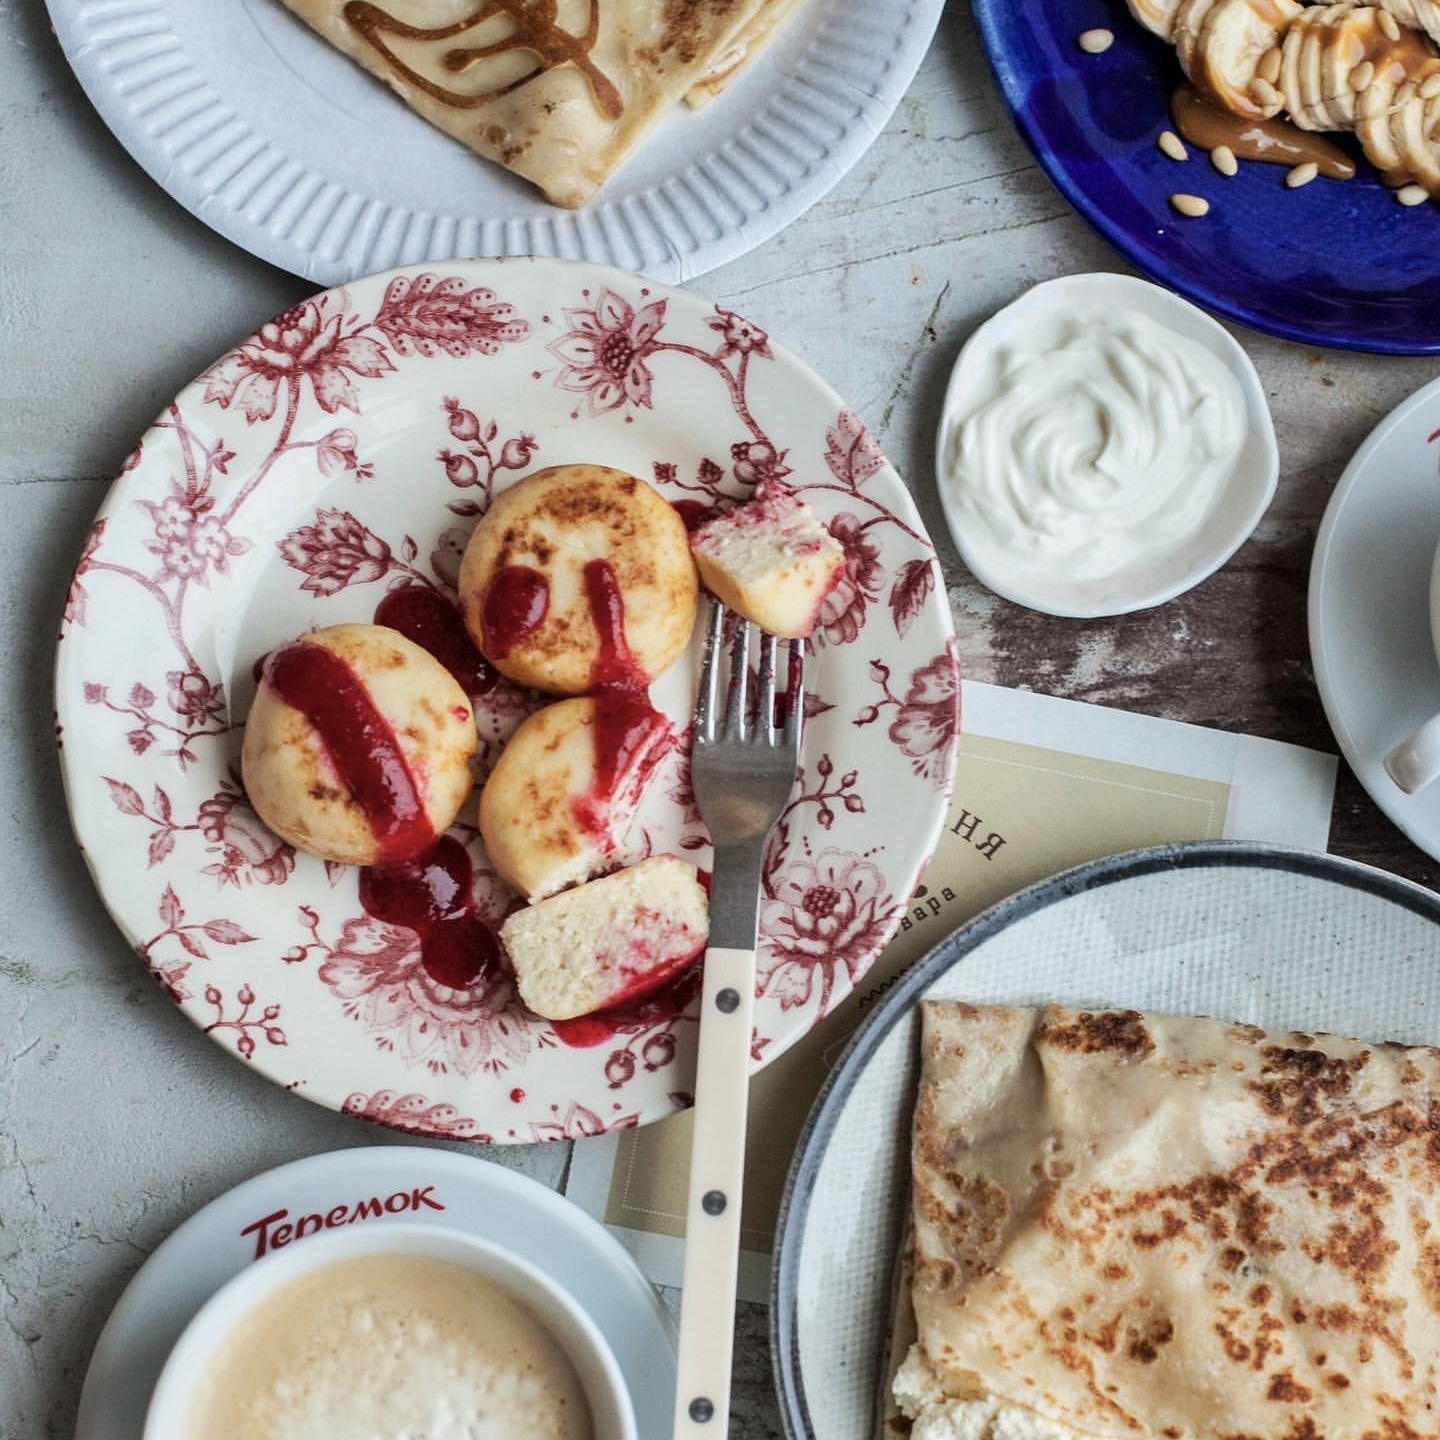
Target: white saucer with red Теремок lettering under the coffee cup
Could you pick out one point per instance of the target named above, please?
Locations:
(477, 1196)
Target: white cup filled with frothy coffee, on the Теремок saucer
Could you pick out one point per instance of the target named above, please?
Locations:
(369, 1331)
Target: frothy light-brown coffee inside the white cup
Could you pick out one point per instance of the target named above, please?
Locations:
(390, 1349)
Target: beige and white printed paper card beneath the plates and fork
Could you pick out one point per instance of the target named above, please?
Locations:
(1042, 786)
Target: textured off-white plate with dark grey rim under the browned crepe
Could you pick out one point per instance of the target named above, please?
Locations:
(1278, 938)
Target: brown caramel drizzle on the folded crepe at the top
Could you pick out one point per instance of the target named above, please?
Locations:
(536, 31)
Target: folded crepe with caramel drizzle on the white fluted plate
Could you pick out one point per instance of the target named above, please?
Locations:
(558, 91)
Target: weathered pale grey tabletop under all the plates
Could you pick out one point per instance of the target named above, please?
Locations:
(117, 1117)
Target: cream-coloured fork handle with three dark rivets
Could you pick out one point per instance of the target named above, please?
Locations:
(714, 1206)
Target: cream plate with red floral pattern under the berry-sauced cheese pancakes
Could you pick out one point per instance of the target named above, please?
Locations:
(341, 456)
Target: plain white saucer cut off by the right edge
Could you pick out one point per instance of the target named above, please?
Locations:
(1369, 607)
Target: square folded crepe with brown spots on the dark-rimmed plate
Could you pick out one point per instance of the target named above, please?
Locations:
(1133, 1226)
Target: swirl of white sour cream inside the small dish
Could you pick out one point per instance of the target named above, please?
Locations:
(1099, 438)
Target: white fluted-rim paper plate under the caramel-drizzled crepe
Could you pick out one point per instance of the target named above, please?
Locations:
(289, 149)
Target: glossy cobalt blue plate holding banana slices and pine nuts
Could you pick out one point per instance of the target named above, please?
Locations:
(1336, 263)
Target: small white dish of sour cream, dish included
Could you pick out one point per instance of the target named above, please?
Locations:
(1105, 446)
